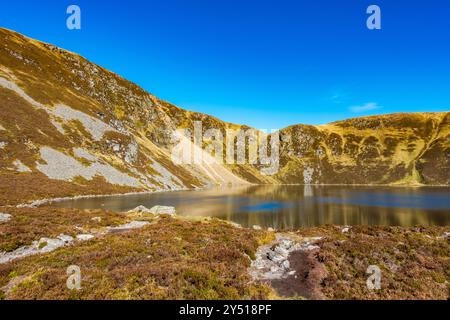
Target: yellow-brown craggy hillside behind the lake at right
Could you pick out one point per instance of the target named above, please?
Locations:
(410, 148)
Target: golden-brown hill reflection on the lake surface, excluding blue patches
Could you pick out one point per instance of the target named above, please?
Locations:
(309, 210)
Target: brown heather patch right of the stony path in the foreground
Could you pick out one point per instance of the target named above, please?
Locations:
(414, 262)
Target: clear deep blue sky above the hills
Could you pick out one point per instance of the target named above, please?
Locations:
(268, 64)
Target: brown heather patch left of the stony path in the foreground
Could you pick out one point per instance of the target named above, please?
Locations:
(171, 259)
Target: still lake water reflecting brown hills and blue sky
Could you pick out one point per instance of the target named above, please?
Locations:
(287, 206)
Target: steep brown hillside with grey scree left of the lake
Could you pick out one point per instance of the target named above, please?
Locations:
(69, 127)
